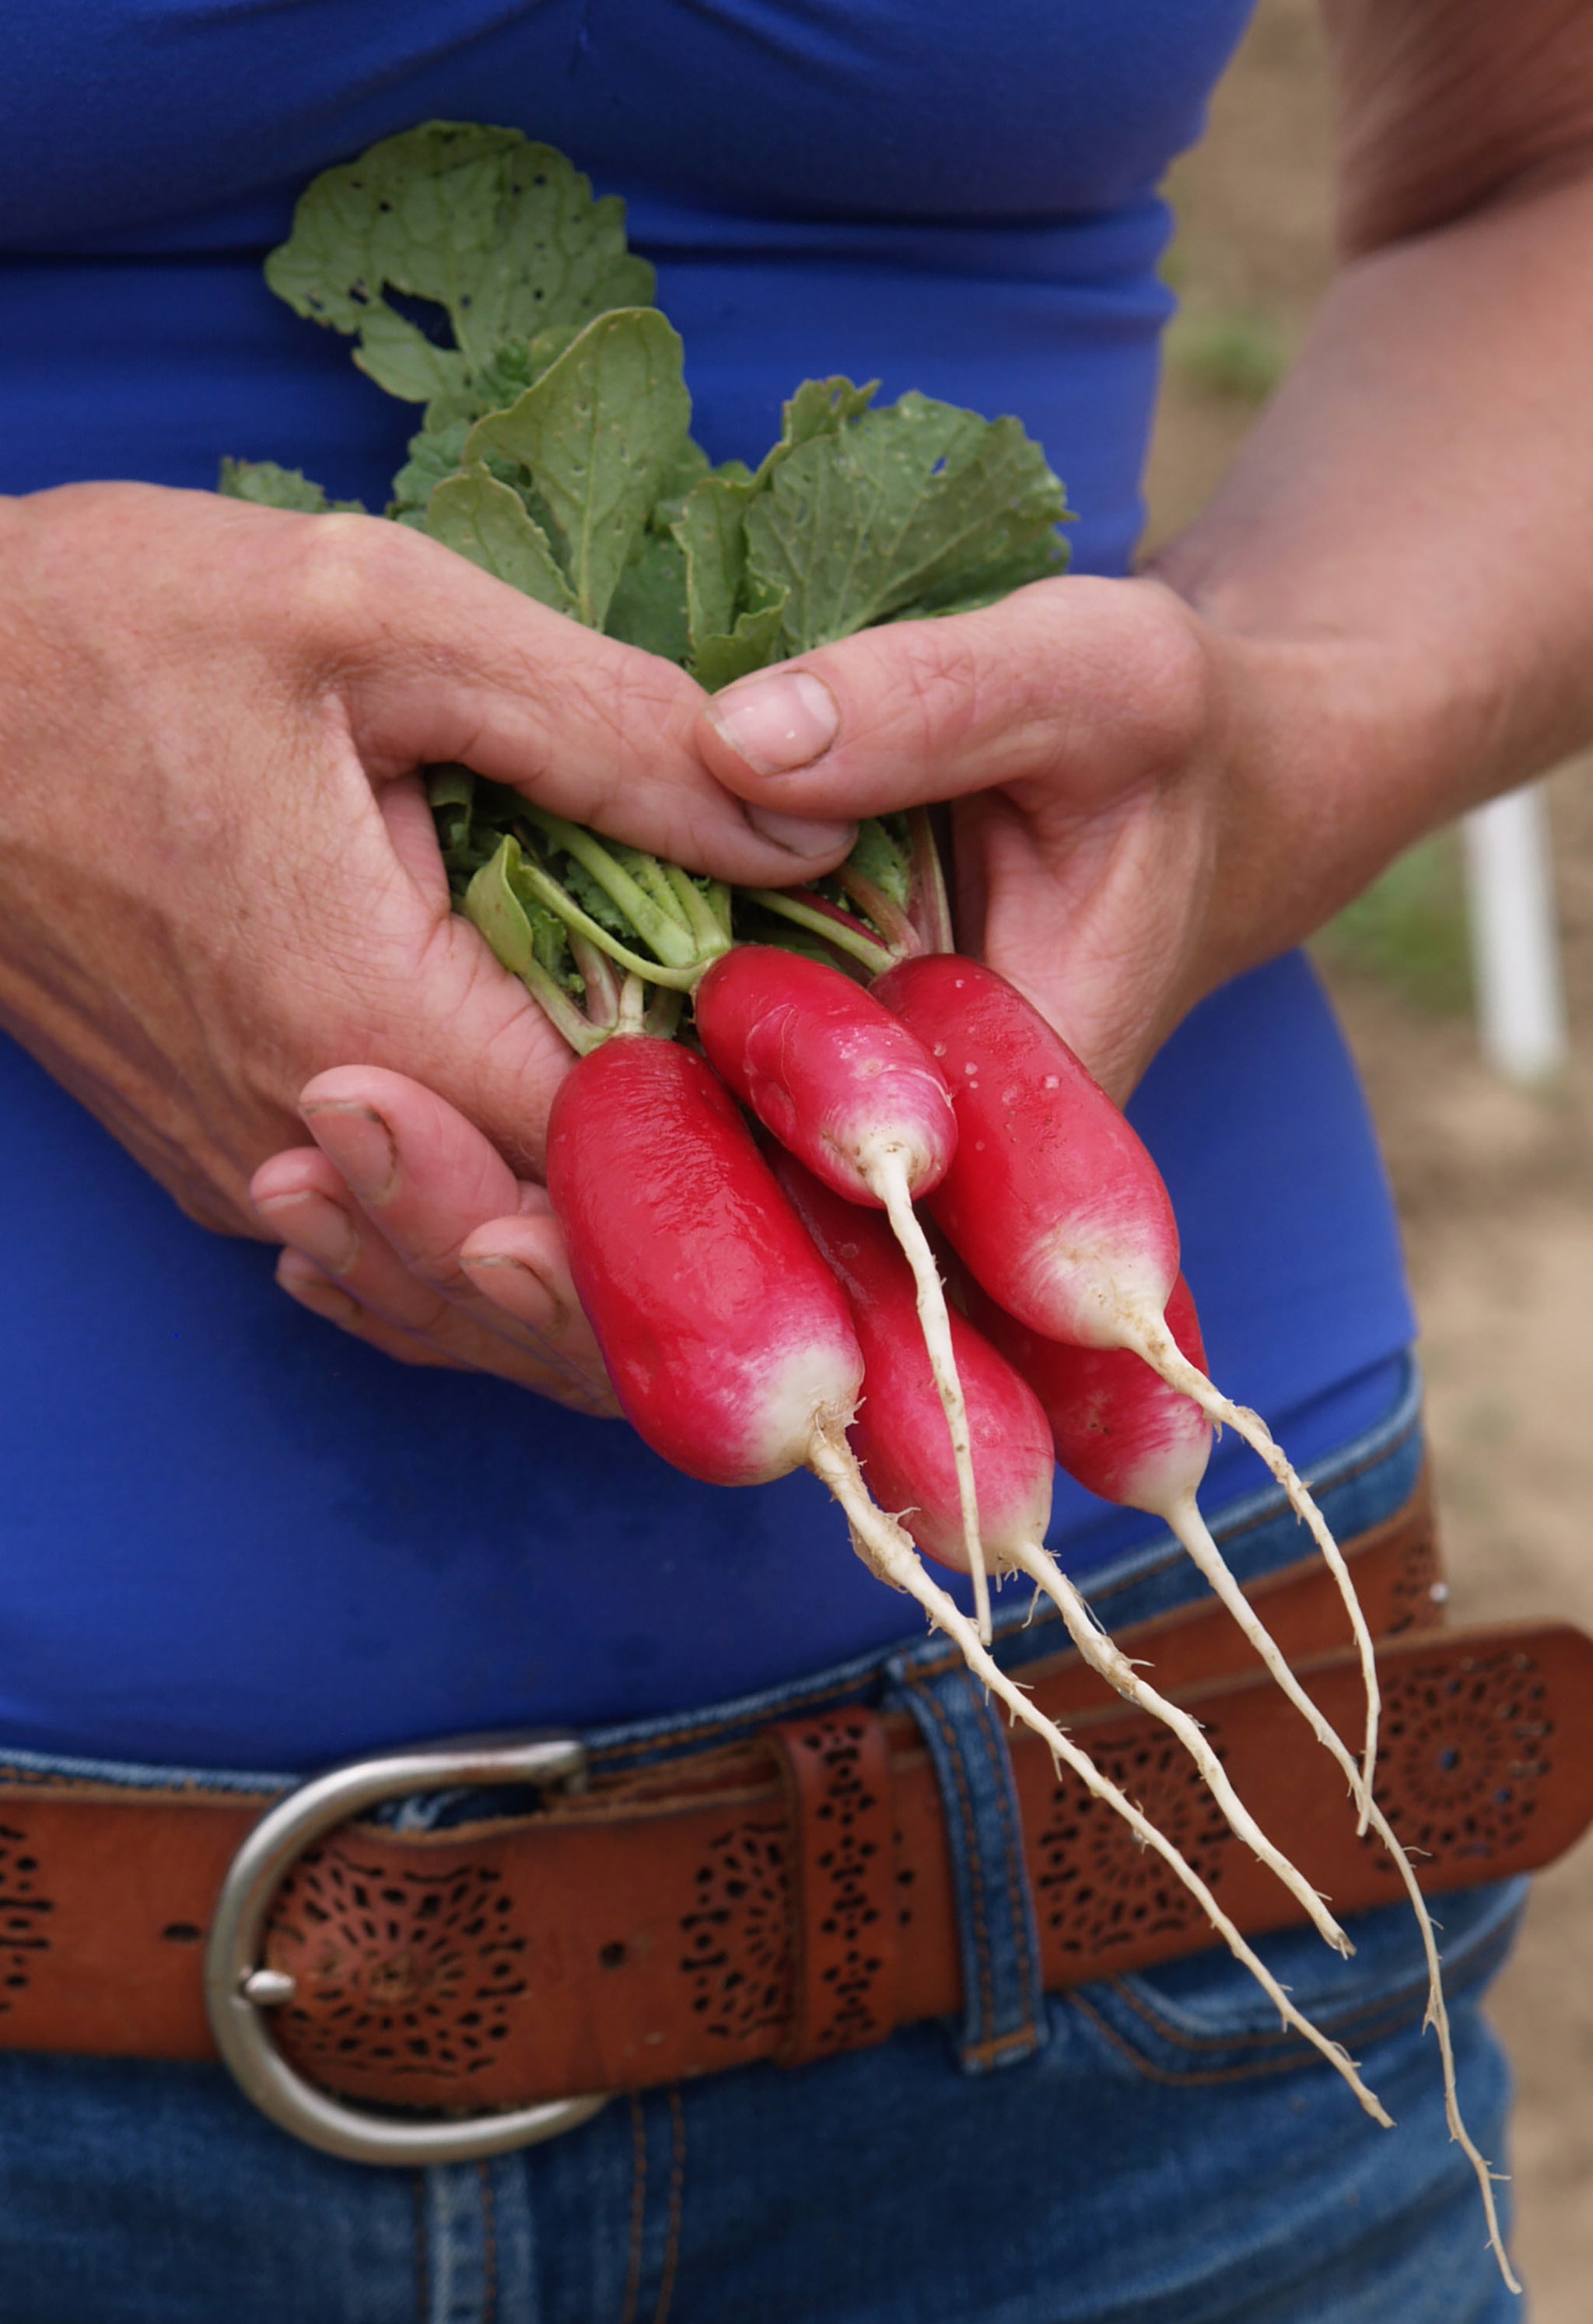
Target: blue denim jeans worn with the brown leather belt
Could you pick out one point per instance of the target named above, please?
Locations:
(1131, 2153)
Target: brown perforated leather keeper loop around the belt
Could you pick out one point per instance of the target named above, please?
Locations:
(848, 1909)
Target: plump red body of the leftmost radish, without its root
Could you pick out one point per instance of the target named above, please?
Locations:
(724, 1333)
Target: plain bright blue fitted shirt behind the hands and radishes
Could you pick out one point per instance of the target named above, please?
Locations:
(227, 1533)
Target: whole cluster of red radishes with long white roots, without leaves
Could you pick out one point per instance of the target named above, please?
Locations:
(766, 1314)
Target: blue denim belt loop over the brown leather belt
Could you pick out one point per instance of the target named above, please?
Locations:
(1003, 1995)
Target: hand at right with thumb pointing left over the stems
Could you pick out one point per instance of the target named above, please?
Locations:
(1108, 756)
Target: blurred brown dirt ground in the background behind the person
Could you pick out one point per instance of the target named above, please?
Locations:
(1496, 1189)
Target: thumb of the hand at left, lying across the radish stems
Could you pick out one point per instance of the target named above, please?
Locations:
(438, 661)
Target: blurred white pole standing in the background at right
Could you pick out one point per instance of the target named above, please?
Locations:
(1515, 938)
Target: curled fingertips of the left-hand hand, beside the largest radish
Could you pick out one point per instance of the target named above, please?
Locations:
(410, 1233)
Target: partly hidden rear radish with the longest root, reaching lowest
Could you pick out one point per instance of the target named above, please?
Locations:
(1122, 1433)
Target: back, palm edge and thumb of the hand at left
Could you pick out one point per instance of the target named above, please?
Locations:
(217, 866)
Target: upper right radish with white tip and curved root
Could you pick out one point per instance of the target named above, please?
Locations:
(1064, 1219)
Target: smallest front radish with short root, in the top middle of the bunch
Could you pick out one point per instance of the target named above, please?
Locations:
(850, 1091)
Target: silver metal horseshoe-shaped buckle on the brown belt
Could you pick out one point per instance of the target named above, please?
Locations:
(241, 1991)
